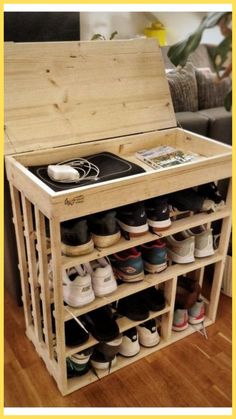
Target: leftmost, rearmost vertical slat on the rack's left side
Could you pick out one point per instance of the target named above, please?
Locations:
(20, 242)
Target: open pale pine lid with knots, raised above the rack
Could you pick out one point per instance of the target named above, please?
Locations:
(62, 93)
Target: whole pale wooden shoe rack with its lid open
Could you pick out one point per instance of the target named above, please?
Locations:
(65, 100)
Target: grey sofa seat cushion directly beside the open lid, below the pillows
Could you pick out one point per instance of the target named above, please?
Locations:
(193, 121)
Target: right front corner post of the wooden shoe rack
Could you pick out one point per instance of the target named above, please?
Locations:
(219, 266)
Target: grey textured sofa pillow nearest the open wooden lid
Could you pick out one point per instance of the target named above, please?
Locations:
(183, 88)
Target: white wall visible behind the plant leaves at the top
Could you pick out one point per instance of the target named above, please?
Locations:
(130, 24)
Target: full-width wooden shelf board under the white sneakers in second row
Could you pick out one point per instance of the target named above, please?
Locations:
(127, 289)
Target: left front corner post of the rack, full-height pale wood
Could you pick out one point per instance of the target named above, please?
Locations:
(58, 302)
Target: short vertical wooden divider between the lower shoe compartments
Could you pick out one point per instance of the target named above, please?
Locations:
(167, 319)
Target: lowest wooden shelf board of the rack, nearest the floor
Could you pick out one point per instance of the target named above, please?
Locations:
(79, 382)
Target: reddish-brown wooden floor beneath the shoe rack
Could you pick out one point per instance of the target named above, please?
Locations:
(194, 372)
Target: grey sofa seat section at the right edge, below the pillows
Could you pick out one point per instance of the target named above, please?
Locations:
(220, 124)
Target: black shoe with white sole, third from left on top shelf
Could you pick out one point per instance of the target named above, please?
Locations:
(133, 219)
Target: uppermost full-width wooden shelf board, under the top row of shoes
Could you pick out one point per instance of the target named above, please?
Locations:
(122, 244)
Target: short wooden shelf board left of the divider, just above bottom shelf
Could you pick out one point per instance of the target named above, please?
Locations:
(124, 324)
